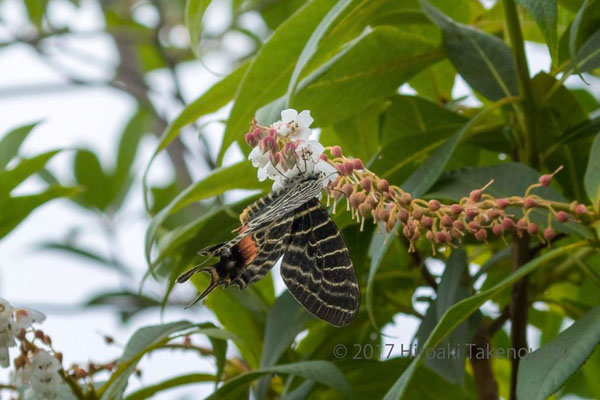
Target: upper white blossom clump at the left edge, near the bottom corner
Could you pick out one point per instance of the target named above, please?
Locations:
(12, 320)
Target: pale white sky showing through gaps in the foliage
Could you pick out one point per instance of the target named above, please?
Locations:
(93, 117)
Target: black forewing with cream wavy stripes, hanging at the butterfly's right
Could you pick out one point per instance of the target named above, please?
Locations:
(317, 268)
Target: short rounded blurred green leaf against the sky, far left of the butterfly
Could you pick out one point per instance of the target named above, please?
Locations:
(89, 174)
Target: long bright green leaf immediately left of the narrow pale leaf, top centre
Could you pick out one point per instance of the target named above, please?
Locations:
(269, 73)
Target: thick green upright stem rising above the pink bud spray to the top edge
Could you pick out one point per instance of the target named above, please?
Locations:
(530, 145)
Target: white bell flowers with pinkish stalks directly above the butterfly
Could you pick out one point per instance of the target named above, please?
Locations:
(301, 153)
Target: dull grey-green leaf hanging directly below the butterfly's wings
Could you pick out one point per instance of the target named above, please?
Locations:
(285, 320)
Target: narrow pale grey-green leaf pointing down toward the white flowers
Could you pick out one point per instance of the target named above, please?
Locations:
(310, 48)
